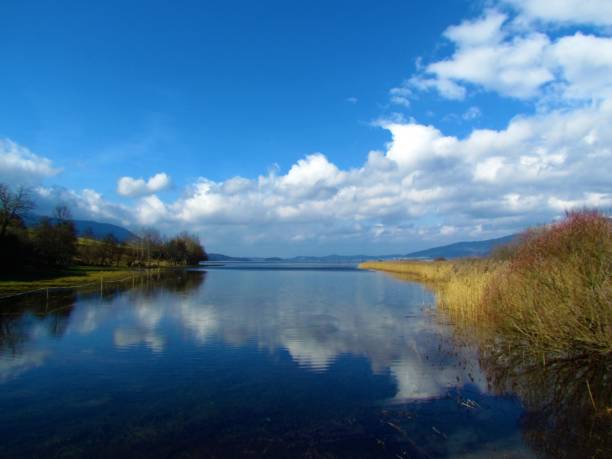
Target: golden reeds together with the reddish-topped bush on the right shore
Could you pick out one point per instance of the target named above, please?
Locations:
(549, 296)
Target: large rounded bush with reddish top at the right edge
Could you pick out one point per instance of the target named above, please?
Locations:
(556, 292)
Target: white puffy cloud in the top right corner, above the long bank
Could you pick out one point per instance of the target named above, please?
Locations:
(494, 53)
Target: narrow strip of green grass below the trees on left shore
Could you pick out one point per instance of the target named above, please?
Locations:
(71, 277)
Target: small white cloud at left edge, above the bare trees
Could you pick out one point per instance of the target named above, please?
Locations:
(19, 166)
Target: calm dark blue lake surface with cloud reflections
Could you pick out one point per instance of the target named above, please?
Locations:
(252, 360)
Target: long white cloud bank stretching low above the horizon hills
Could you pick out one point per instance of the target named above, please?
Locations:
(425, 185)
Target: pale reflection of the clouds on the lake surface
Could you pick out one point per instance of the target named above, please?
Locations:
(317, 323)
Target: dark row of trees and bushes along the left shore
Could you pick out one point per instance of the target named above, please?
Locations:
(52, 243)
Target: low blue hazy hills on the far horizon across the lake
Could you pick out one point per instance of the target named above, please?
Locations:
(456, 250)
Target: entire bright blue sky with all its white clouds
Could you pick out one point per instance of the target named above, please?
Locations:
(277, 128)
